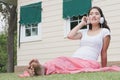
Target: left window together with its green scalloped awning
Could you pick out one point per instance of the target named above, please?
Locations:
(30, 21)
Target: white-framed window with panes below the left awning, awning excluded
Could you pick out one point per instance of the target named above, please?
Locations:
(30, 32)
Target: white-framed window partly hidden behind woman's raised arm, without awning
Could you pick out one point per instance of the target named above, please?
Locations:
(71, 23)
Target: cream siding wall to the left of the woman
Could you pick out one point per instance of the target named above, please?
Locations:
(53, 43)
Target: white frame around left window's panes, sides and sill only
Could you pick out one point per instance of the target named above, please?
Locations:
(23, 38)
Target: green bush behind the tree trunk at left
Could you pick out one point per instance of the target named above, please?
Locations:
(3, 51)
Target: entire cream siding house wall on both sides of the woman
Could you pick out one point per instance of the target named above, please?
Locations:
(53, 43)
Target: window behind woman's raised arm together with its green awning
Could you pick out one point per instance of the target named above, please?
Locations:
(71, 11)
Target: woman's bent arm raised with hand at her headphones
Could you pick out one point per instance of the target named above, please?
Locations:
(74, 32)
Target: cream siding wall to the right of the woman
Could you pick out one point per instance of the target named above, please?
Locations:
(111, 10)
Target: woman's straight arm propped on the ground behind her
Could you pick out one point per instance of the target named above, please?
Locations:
(106, 42)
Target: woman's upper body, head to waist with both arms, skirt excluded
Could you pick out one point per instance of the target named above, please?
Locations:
(95, 40)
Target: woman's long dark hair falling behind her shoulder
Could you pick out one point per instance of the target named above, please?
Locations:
(104, 25)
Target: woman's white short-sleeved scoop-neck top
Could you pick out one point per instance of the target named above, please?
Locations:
(90, 46)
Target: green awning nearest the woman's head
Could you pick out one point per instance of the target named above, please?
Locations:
(75, 7)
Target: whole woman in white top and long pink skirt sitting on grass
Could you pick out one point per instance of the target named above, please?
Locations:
(93, 42)
